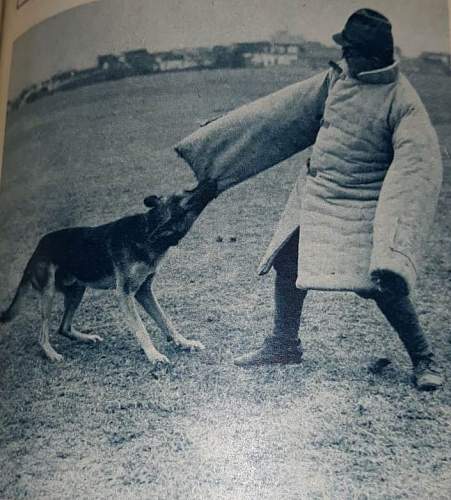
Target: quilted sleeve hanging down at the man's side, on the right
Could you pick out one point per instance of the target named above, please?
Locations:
(410, 191)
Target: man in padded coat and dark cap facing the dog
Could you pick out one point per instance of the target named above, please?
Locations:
(358, 222)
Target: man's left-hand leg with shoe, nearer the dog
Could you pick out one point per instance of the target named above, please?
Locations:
(283, 346)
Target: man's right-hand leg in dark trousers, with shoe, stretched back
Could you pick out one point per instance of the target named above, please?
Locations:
(401, 314)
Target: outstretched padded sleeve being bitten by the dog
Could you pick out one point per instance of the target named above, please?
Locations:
(258, 135)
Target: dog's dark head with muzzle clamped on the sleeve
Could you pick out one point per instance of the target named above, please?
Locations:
(177, 212)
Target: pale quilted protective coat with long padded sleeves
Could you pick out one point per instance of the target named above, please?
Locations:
(373, 180)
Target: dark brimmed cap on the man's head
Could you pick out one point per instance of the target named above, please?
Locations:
(366, 30)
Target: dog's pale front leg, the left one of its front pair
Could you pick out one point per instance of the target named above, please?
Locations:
(128, 306)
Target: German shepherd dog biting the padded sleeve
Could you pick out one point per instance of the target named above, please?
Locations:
(123, 255)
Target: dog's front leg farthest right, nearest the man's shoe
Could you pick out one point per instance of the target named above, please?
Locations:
(147, 299)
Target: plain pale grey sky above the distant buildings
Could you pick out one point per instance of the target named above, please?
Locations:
(74, 38)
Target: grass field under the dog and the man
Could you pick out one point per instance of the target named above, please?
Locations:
(99, 425)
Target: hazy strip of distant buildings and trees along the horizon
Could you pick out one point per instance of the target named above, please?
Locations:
(282, 49)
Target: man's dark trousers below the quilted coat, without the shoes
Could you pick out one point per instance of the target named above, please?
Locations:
(398, 310)
